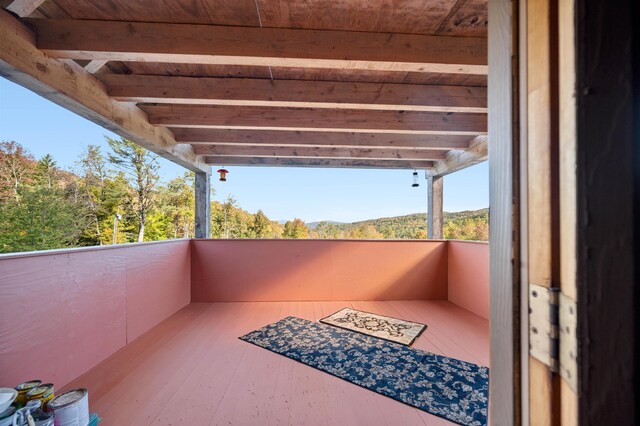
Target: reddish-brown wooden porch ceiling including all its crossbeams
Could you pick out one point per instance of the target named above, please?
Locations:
(342, 83)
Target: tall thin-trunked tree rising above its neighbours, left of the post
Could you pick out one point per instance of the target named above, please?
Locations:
(141, 168)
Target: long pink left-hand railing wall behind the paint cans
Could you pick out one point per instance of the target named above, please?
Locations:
(64, 311)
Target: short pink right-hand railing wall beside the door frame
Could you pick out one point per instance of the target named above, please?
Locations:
(469, 276)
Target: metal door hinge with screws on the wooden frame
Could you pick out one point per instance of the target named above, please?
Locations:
(552, 331)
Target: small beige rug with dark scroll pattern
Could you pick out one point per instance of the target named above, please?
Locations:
(392, 329)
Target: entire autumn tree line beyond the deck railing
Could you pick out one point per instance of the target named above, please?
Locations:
(117, 197)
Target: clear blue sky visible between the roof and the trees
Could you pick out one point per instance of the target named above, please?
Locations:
(343, 195)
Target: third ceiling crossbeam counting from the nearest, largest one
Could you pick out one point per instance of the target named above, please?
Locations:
(315, 118)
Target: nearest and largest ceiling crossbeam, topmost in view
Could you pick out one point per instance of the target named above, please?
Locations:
(226, 45)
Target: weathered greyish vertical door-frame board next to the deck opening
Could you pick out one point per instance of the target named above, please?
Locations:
(503, 201)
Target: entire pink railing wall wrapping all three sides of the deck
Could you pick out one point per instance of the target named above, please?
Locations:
(65, 311)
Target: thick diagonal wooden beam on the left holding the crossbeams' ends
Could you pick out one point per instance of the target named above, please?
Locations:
(70, 86)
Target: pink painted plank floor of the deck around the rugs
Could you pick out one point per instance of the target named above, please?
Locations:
(193, 370)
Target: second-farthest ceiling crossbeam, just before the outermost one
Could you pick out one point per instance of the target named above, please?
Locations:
(318, 152)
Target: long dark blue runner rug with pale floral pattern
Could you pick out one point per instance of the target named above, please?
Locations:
(446, 387)
